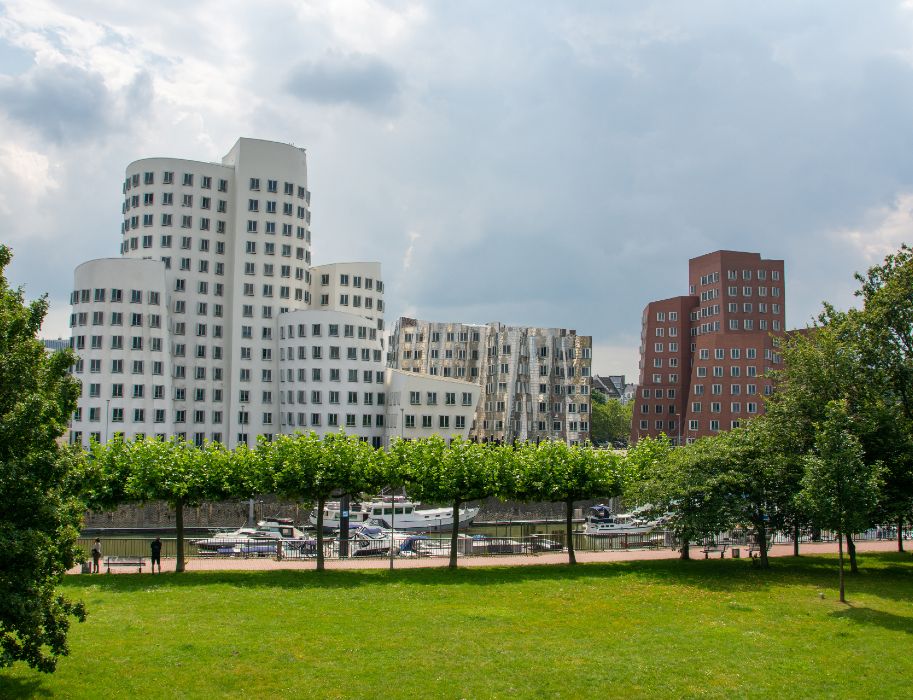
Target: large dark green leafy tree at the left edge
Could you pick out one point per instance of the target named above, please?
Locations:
(40, 517)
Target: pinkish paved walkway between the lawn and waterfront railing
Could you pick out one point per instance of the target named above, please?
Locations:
(267, 564)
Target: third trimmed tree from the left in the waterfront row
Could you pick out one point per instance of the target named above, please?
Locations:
(457, 473)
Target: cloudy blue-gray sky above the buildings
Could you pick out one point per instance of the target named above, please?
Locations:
(535, 163)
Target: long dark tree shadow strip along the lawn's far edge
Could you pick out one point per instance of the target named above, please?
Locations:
(886, 577)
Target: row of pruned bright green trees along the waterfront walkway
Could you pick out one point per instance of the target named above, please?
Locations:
(310, 469)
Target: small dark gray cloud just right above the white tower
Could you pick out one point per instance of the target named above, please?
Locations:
(354, 79)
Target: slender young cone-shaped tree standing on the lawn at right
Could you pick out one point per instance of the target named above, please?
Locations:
(840, 488)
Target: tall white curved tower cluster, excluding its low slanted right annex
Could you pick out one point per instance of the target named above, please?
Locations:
(213, 325)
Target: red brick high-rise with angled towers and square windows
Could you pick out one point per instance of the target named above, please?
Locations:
(704, 357)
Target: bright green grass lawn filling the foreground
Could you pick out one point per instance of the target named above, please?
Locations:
(716, 628)
